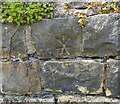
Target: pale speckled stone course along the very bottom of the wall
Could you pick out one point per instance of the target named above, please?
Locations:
(66, 99)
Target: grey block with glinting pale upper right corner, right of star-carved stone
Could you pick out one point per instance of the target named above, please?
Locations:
(100, 35)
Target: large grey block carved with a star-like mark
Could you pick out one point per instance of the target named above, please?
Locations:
(57, 38)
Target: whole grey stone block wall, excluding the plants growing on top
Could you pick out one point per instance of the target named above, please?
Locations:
(56, 60)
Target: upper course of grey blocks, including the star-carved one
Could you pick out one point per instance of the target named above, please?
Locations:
(63, 38)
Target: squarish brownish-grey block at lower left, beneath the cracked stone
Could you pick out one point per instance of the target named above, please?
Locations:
(20, 77)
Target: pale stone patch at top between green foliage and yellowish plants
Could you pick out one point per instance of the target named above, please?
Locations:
(60, 10)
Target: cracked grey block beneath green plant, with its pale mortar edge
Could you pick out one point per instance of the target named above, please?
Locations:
(17, 41)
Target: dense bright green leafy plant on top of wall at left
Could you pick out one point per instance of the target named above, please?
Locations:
(25, 13)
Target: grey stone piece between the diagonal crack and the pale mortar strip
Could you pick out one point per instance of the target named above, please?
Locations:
(18, 46)
